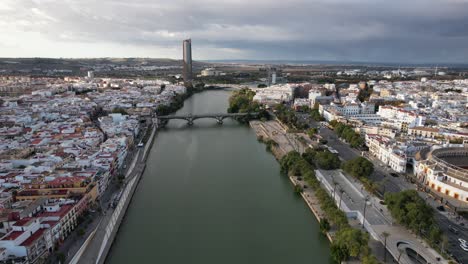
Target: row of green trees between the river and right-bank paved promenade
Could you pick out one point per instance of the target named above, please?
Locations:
(347, 242)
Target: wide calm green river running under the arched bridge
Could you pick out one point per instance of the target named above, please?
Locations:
(212, 194)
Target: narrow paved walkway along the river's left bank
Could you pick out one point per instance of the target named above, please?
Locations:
(98, 244)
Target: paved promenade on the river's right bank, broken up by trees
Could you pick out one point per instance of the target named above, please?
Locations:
(377, 218)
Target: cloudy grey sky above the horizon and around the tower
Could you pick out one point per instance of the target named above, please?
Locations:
(350, 30)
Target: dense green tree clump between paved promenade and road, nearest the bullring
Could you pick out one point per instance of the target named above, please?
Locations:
(410, 210)
